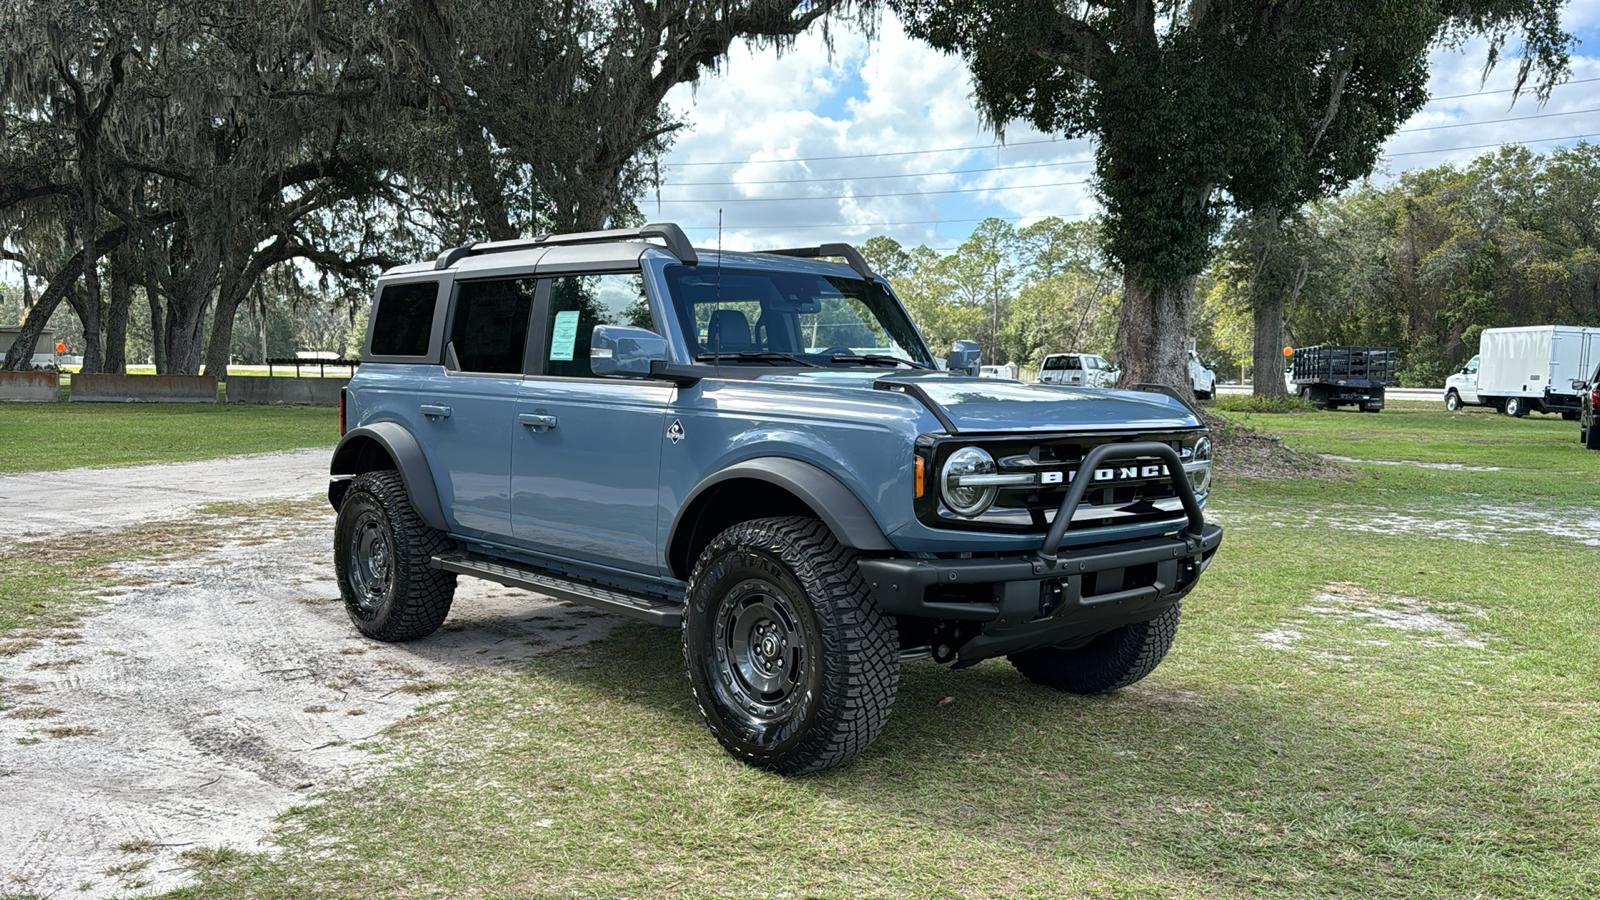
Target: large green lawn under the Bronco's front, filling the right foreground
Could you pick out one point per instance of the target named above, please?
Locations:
(1385, 688)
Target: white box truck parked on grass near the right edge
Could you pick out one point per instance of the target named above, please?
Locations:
(1522, 371)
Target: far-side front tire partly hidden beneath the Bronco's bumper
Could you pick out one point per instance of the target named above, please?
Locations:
(1106, 664)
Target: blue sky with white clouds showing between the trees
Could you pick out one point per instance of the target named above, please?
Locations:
(879, 137)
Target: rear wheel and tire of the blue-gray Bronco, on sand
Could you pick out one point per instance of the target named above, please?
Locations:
(382, 556)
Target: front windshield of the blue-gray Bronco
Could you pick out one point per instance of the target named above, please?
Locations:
(799, 315)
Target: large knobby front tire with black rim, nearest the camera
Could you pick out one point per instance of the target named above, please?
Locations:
(793, 665)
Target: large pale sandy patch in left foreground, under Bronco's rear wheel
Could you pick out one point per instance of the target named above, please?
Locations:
(214, 696)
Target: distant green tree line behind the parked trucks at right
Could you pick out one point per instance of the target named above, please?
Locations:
(1425, 263)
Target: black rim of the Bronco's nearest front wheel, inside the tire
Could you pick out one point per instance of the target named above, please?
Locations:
(761, 654)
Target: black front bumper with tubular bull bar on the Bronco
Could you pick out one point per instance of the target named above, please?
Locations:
(1028, 601)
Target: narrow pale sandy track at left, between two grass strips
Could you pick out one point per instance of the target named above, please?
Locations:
(94, 500)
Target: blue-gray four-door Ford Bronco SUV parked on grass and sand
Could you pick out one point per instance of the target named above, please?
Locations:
(762, 451)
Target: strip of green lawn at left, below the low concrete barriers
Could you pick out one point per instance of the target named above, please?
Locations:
(63, 436)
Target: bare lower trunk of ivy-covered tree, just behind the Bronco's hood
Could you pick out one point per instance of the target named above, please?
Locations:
(1153, 334)
